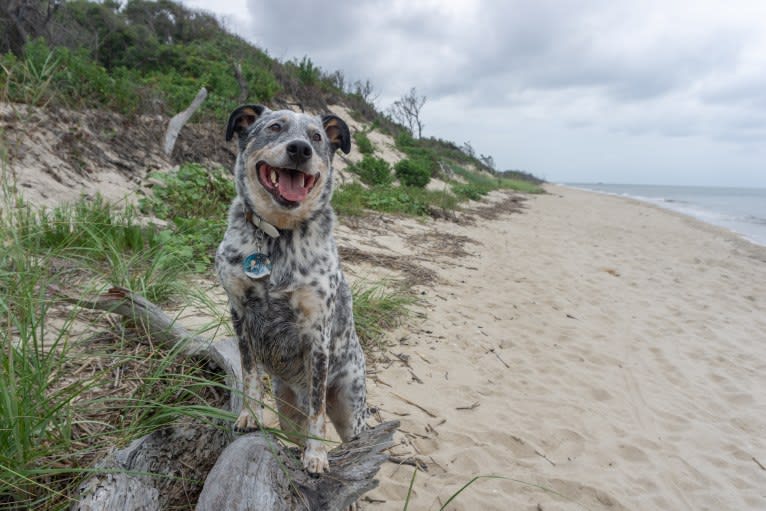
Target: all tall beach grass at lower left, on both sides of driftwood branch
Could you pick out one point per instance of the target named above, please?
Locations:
(54, 424)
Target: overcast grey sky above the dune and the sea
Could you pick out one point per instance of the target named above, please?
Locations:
(615, 91)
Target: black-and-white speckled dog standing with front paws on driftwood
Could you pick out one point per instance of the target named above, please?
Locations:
(290, 304)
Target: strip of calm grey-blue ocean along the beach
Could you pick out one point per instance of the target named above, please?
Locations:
(741, 210)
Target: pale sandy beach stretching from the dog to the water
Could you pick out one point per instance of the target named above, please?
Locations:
(592, 351)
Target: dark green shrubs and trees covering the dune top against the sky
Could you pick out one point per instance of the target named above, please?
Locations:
(149, 57)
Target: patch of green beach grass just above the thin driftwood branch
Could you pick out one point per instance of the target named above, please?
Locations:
(91, 240)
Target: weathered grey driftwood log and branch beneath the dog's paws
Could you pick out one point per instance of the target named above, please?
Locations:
(253, 472)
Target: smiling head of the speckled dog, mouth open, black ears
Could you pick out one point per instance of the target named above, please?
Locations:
(284, 166)
